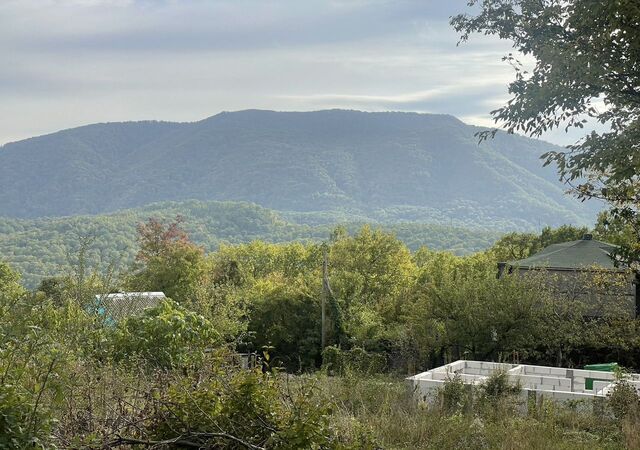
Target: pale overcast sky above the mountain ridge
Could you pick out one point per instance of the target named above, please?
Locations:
(65, 63)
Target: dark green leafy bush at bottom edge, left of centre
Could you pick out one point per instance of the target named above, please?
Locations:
(255, 408)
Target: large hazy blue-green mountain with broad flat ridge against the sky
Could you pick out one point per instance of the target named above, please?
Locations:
(389, 166)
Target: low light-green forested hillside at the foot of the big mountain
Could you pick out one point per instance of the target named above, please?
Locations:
(45, 247)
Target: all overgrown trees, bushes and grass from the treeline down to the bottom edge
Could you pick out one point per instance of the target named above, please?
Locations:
(172, 376)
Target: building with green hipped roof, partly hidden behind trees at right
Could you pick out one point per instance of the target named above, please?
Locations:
(583, 269)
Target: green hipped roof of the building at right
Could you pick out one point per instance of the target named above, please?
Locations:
(581, 254)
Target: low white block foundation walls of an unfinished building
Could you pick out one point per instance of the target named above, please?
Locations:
(555, 383)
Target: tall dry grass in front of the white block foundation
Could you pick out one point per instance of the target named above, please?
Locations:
(381, 412)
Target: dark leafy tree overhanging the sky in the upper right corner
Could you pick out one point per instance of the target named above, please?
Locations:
(587, 68)
